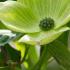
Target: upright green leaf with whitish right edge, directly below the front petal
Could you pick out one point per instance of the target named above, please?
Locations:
(32, 56)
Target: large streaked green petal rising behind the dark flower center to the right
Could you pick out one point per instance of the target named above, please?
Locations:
(59, 10)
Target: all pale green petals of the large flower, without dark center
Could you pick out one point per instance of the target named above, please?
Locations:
(25, 16)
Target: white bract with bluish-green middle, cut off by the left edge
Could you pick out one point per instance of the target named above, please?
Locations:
(6, 36)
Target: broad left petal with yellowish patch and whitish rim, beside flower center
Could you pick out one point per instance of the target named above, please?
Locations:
(18, 18)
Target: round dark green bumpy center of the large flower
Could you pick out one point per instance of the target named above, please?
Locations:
(46, 24)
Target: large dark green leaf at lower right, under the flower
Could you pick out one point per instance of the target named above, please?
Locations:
(59, 50)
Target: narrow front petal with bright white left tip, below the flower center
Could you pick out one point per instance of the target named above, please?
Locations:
(43, 37)
